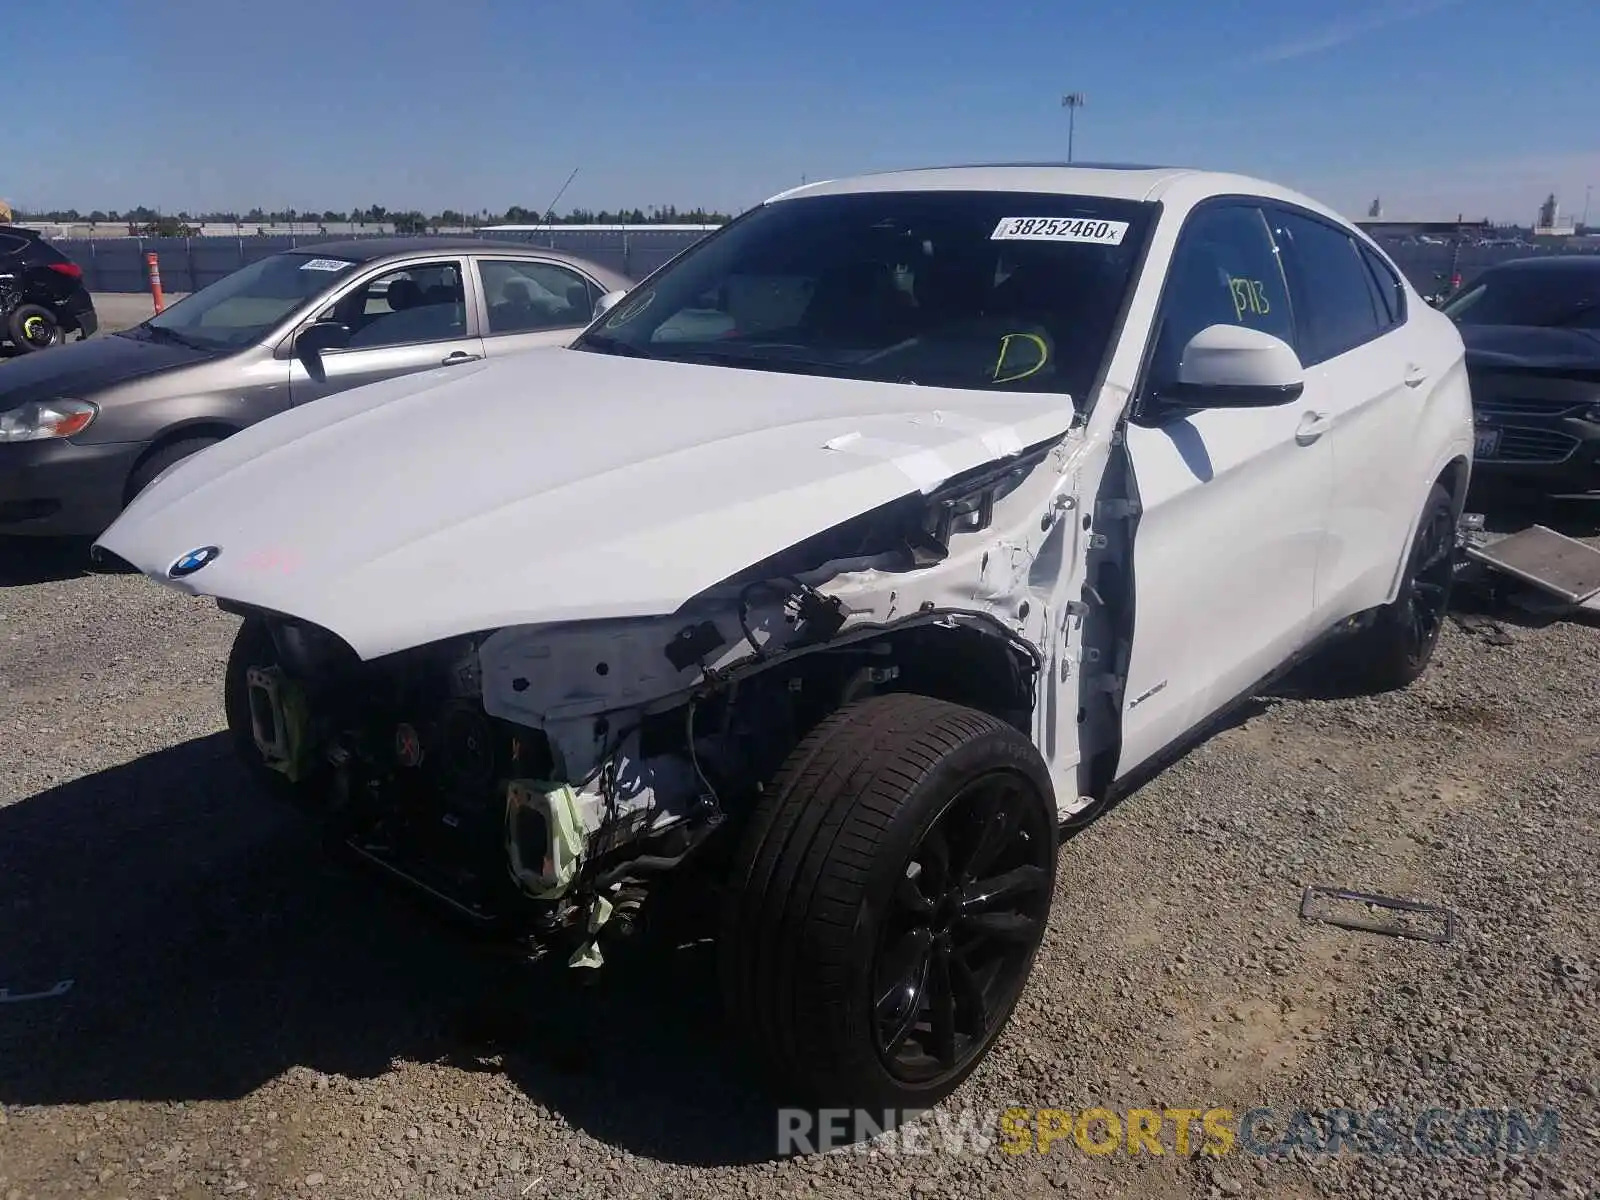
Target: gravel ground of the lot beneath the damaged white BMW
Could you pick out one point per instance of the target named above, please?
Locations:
(249, 1020)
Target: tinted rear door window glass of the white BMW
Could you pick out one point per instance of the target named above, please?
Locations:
(1334, 289)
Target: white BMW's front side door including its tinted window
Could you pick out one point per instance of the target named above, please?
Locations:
(1233, 500)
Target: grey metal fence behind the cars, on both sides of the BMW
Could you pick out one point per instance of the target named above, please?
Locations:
(190, 265)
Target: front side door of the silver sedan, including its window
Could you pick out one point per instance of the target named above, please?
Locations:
(402, 319)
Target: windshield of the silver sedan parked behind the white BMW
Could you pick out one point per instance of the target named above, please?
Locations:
(246, 306)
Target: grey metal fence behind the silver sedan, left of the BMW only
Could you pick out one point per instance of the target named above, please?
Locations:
(191, 263)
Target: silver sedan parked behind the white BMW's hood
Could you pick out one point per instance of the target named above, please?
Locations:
(86, 428)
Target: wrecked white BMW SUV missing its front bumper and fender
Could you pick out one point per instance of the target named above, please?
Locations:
(842, 564)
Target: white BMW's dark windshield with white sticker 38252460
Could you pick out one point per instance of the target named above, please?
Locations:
(990, 290)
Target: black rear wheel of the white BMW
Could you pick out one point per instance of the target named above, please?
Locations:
(1396, 649)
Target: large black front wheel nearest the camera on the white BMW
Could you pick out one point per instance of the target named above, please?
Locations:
(823, 900)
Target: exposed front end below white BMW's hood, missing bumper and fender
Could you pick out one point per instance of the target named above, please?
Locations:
(540, 778)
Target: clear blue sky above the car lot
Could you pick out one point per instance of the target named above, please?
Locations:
(1438, 106)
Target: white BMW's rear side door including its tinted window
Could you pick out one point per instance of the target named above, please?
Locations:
(1372, 378)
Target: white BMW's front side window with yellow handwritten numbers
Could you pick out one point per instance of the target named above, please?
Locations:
(1226, 271)
